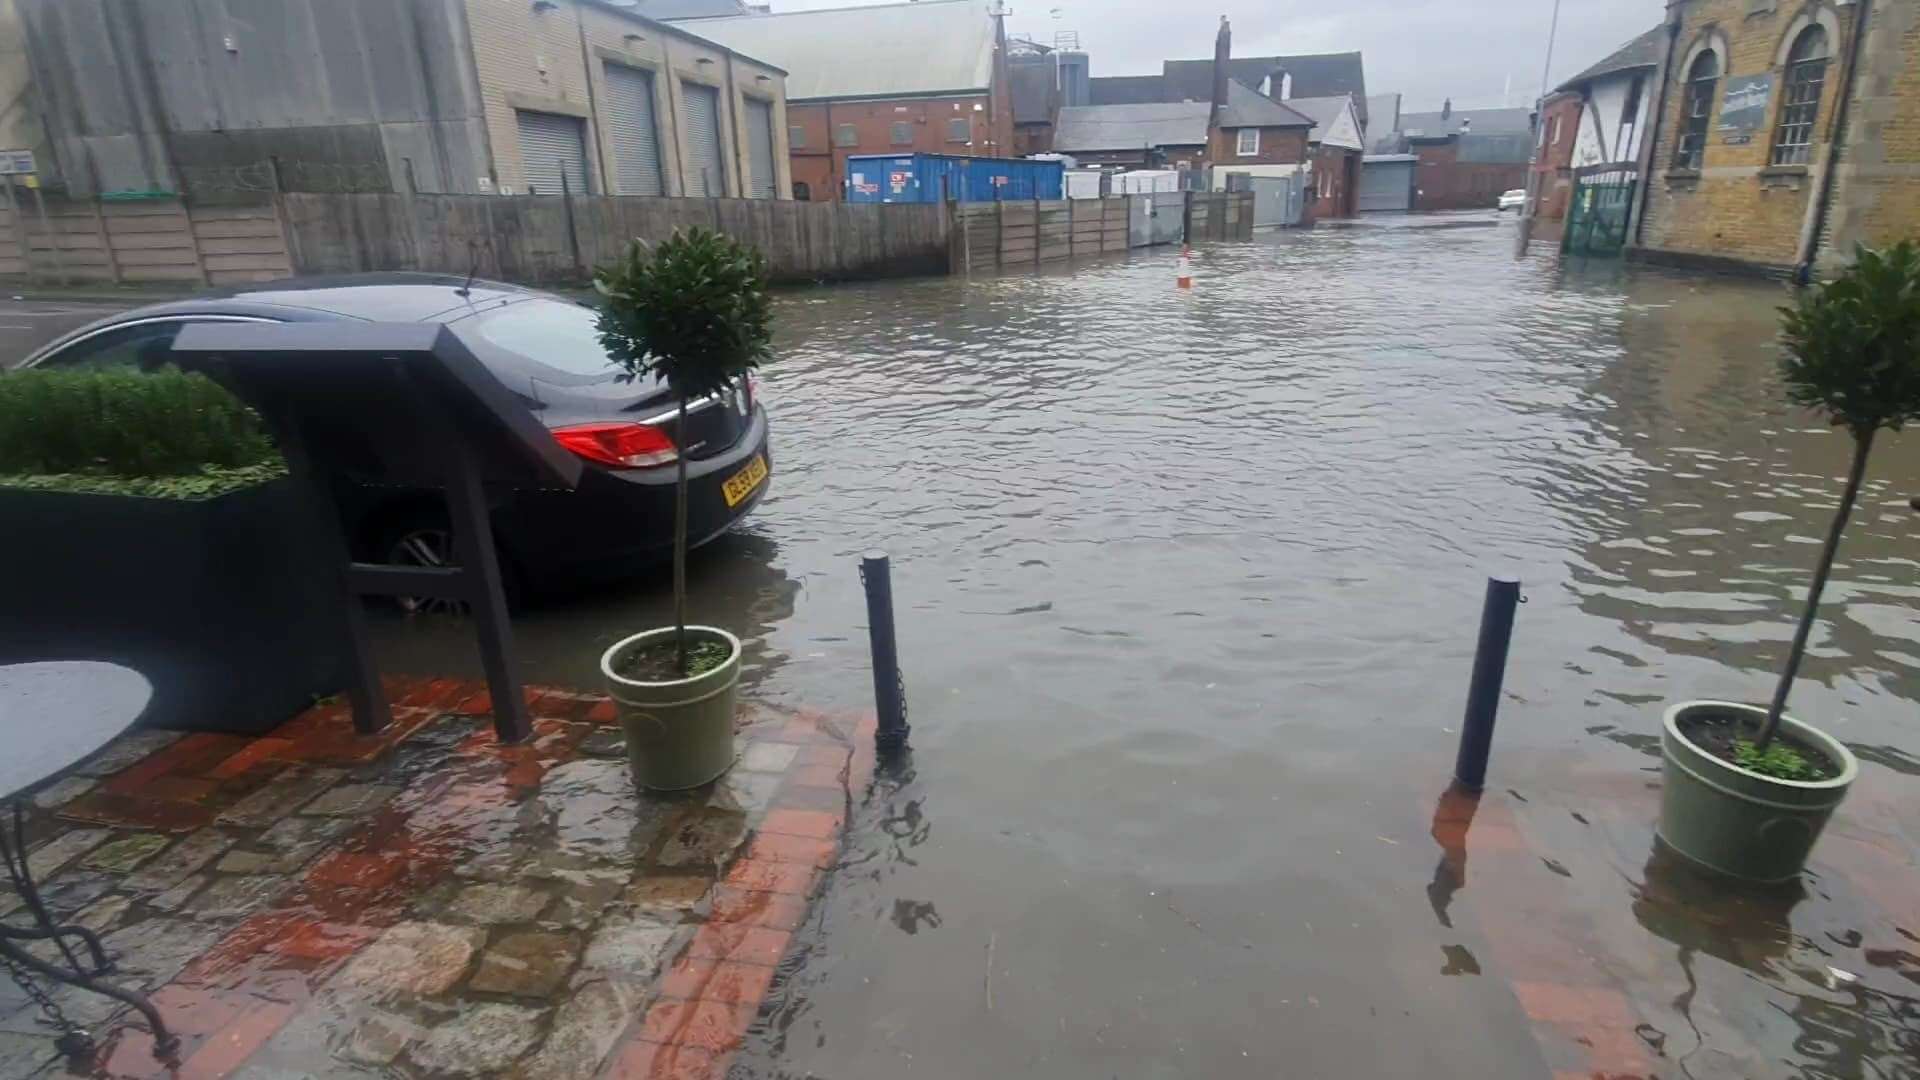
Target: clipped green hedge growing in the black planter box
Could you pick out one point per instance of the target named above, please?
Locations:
(126, 431)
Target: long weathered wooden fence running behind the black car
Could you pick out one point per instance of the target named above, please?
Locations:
(552, 239)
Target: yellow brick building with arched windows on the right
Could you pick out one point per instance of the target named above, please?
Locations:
(1787, 134)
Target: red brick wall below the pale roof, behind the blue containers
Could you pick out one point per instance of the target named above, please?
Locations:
(823, 166)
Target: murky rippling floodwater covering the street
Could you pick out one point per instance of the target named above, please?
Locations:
(1188, 595)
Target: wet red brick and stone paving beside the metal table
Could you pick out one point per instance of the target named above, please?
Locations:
(322, 904)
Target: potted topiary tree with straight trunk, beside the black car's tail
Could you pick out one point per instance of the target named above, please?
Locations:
(694, 314)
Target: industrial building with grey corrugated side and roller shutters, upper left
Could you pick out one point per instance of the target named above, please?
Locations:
(197, 97)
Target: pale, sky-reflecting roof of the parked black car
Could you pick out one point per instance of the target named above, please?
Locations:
(373, 297)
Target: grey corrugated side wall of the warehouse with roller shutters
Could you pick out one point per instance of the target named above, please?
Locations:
(341, 95)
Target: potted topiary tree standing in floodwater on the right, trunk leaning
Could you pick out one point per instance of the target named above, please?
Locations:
(1748, 789)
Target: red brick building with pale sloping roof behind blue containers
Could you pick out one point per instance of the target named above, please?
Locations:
(886, 80)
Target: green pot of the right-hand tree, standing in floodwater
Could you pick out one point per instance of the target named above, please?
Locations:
(1737, 822)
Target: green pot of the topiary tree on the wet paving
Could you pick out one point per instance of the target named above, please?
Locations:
(679, 733)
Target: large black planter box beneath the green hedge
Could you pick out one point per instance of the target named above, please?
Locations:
(224, 604)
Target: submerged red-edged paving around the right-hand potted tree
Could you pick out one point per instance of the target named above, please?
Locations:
(1679, 981)
